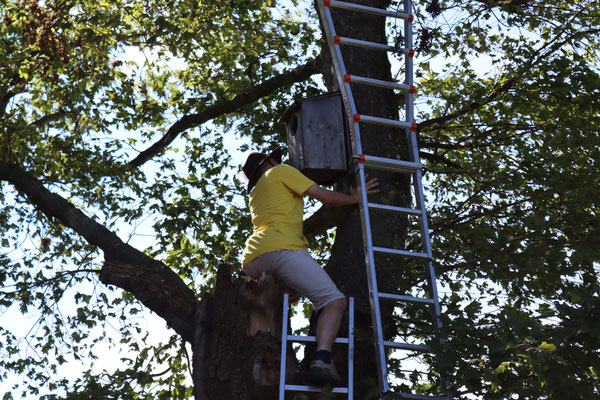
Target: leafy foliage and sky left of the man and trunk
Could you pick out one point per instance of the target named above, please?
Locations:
(84, 87)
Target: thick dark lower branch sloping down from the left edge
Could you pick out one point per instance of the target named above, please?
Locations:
(150, 281)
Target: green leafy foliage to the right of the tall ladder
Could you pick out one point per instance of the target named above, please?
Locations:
(514, 195)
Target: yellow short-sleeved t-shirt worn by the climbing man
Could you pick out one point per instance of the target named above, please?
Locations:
(277, 211)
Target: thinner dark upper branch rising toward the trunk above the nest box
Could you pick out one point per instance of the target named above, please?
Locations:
(252, 94)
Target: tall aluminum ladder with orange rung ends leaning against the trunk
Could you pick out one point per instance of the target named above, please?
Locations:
(411, 166)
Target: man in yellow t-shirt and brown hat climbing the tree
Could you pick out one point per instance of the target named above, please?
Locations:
(278, 247)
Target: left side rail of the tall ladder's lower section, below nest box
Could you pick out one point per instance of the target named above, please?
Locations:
(380, 353)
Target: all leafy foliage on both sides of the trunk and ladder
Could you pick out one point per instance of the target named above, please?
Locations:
(509, 127)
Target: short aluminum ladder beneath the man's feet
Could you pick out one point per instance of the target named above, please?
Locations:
(285, 337)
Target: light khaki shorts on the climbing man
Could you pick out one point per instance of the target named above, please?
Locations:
(299, 271)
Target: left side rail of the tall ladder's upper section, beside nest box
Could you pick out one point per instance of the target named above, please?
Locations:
(340, 68)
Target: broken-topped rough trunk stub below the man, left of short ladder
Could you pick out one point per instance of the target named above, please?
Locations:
(237, 344)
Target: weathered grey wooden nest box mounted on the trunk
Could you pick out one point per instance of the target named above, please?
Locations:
(316, 135)
